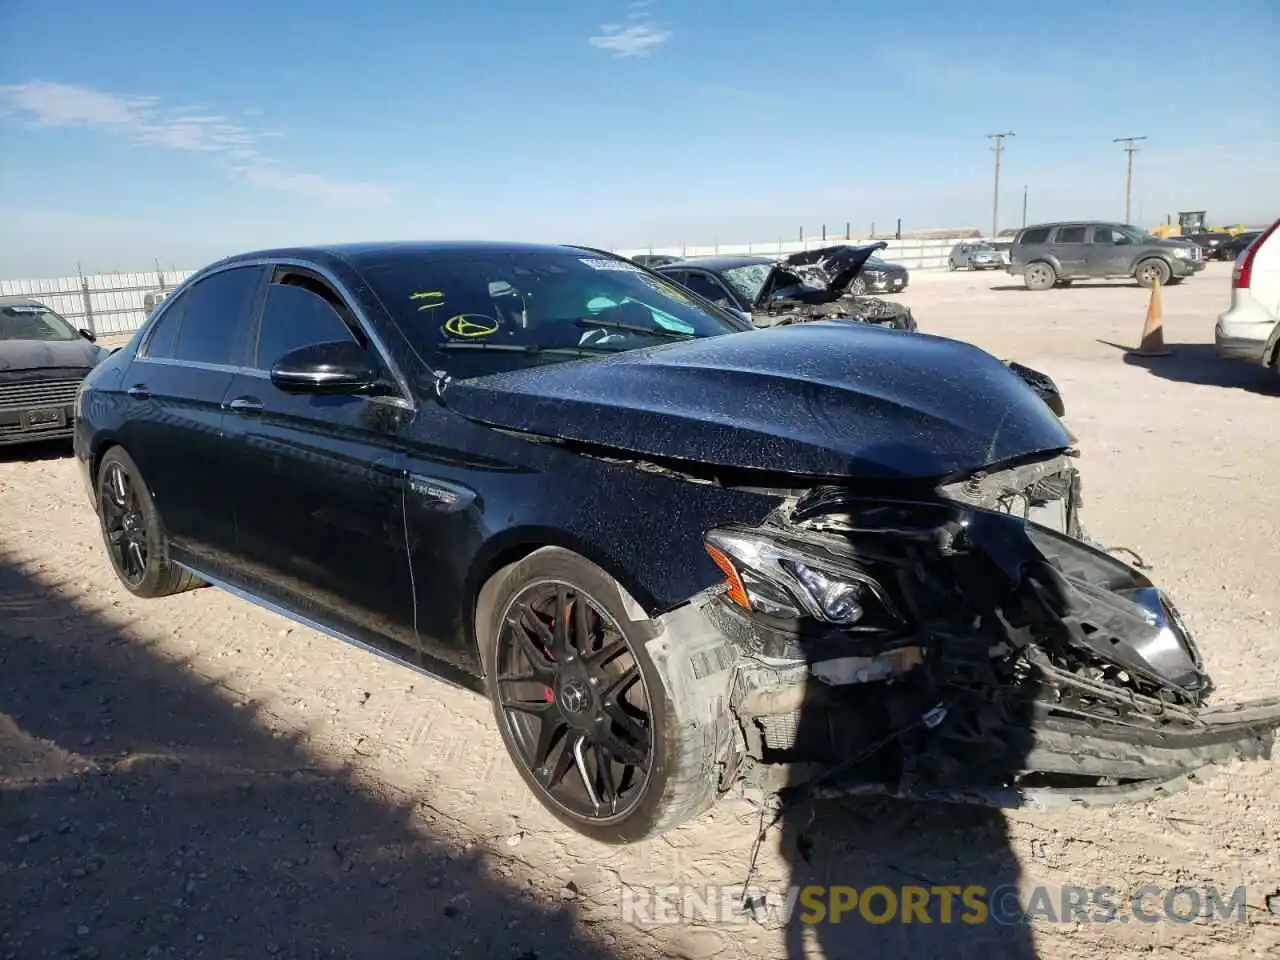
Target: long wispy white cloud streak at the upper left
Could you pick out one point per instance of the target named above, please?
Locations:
(147, 122)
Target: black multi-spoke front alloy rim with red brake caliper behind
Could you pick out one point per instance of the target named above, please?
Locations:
(575, 702)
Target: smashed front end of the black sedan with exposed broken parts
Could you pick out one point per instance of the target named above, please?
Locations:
(954, 651)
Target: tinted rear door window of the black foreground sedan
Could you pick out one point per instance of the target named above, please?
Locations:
(217, 312)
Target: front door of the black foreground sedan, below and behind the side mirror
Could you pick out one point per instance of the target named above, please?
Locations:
(318, 493)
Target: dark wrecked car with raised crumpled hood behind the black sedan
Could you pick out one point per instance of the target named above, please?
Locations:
(812, 285)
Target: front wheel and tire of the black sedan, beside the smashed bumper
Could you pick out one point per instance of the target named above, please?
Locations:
(582, 707)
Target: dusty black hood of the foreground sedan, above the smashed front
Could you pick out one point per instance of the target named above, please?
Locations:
(834, 399)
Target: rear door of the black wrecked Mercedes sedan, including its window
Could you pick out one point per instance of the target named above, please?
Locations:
(175, 390)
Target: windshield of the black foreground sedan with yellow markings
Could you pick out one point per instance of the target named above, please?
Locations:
(479, 313)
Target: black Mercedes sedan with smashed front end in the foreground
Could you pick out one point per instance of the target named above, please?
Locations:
(678, 555)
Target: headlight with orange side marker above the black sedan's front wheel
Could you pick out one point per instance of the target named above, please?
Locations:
(772, 577)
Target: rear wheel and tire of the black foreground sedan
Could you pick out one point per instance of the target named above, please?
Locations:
(134, 532)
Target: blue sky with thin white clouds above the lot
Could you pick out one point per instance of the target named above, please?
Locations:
(139, 132)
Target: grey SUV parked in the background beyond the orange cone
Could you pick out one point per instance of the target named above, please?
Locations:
(1057, 254)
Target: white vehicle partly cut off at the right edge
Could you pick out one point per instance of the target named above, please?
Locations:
(1250, 330)
